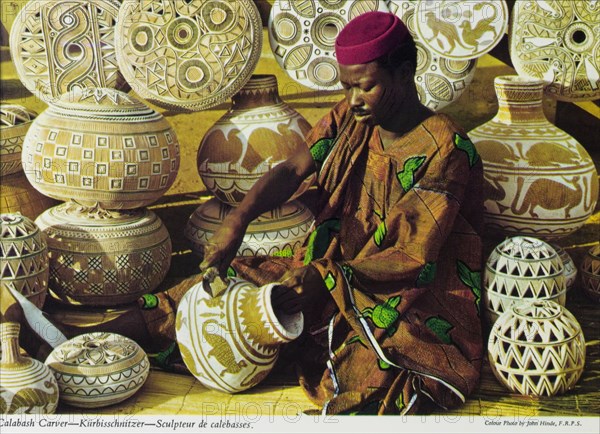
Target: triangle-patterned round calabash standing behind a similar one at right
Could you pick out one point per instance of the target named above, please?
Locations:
(522, 269)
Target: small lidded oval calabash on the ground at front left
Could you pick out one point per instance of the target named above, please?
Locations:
(98, 369)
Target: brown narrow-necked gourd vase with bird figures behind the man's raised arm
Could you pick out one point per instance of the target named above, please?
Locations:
(257, 132)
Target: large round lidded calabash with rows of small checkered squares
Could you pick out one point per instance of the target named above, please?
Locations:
(101, 146)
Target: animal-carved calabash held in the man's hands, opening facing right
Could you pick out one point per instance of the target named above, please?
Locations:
(231, 342)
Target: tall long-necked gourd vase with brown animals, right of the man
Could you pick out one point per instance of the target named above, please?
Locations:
(539, 181)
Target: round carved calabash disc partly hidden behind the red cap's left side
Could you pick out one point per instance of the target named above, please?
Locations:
(302, 37)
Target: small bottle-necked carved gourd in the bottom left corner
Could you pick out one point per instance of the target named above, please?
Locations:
(26, 385)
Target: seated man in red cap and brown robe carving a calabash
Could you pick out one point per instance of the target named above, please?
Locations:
(388, 281)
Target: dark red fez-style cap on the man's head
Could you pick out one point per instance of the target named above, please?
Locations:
(368, 37)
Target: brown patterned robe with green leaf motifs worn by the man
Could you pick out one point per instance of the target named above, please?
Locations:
(397, 243)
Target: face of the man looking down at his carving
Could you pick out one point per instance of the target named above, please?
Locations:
(373, 92)
